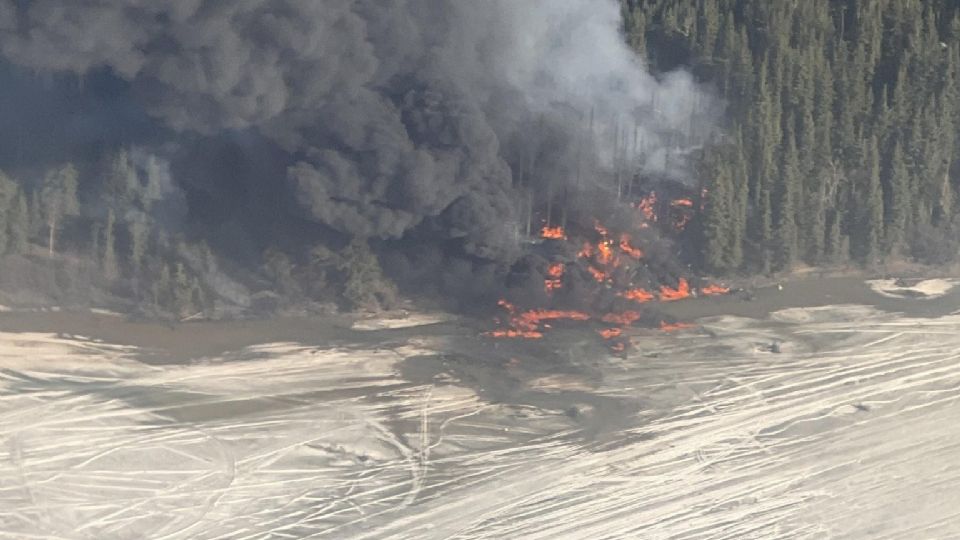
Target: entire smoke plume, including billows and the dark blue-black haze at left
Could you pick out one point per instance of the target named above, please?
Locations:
(405, 122)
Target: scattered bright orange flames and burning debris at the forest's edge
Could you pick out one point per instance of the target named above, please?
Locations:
(609, 272)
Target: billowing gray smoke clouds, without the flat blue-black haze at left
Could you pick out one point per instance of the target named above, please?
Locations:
(391, 111)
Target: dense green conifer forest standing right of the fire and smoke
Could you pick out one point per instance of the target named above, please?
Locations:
(841, 142)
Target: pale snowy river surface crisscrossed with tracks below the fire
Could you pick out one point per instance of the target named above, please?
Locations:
(839, 422)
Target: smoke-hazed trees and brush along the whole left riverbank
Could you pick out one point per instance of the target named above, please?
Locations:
(100, 233)
